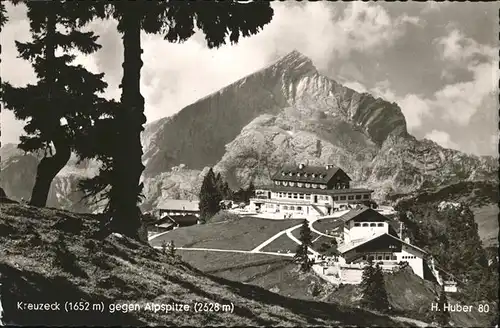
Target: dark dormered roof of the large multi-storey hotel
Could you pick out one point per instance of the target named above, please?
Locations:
(305, 173)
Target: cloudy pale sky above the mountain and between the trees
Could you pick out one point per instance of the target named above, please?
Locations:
(437, 61)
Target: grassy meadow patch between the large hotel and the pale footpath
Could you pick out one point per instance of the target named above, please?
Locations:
(243, 234)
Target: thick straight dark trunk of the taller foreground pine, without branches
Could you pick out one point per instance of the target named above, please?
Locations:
(128, 157)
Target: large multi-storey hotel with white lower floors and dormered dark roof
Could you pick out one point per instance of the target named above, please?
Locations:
(308, 191)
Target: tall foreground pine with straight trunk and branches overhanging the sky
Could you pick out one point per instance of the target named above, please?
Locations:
(220, 21)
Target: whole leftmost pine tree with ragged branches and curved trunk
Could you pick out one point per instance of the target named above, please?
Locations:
(63, 105)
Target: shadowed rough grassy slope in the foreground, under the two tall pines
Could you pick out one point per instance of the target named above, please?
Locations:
(50, 255)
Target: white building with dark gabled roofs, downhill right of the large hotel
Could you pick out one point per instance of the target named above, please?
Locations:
(368, 235)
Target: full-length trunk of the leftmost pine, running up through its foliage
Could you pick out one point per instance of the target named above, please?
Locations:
(49, 166)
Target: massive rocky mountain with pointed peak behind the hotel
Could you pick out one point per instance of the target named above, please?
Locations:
(287, 112)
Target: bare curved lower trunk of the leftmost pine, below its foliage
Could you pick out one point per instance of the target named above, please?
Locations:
(48, 168)
